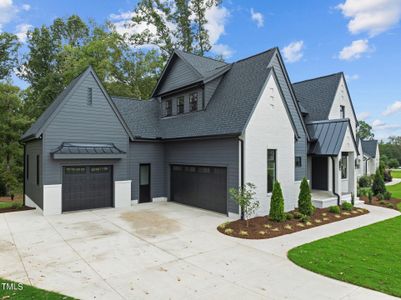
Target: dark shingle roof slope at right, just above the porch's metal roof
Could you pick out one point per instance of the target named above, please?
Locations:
(316, 95)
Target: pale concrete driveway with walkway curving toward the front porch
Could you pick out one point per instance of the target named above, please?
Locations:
(163, 251)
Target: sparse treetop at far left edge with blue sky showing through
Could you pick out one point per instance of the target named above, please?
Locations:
(8, 54)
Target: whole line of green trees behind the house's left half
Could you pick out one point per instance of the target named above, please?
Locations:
(128, 64)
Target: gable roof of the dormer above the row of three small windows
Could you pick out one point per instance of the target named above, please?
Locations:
(202, 69)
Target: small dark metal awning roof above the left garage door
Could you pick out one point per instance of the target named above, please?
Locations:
(87, 148)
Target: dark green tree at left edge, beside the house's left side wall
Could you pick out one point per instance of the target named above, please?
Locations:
(13, 123)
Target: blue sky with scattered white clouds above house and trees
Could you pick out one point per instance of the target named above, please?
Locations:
(362, 38)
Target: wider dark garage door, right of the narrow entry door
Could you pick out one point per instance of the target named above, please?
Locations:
(204, 187)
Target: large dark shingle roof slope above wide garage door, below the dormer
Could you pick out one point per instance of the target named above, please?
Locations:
(226, 114)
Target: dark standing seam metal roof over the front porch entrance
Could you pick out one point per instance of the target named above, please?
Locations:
(328, 136)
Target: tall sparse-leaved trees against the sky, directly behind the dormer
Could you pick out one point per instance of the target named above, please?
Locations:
(176, 24)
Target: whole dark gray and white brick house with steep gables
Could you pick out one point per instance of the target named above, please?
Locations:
(208, 127)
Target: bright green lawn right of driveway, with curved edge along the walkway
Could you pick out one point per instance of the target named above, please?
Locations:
(369, 256)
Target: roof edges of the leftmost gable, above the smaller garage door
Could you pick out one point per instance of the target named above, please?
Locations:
(41, 123)
